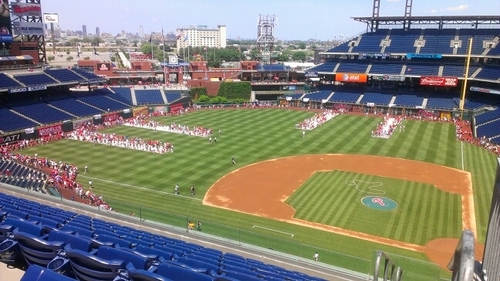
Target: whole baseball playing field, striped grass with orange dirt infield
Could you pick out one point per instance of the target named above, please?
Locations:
(337, 190)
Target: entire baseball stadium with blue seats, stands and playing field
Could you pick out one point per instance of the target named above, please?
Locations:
(380, 162)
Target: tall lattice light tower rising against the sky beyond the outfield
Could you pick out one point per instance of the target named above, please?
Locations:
(265, 36)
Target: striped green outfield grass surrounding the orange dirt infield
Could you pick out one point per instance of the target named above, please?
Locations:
(131, 179)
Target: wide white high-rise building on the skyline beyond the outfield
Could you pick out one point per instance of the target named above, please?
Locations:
(201, 36)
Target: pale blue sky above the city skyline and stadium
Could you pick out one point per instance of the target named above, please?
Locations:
(297, 19)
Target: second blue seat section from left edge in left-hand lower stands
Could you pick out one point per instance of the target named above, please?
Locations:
(42, 113)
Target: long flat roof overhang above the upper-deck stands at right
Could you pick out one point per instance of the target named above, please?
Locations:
(374, 23)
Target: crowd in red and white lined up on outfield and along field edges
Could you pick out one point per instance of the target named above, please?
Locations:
(64, 176)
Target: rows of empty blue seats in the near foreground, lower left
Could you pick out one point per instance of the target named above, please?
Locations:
(93, 249)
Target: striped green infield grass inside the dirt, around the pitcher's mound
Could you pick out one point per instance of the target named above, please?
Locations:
(330, 198)
